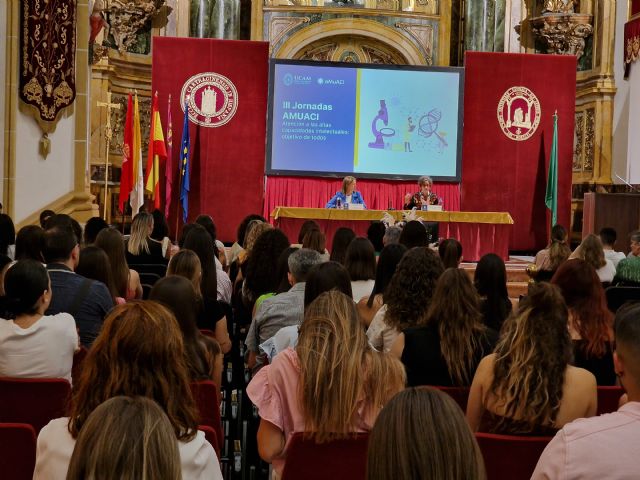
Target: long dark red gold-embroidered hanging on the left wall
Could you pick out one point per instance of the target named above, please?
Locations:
(47, 58)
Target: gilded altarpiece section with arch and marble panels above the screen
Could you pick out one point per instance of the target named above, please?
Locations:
(375, 31)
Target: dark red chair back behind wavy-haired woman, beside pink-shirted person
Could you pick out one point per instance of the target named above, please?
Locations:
(508, 457)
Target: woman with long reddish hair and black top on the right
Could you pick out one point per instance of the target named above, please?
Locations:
(590, 321)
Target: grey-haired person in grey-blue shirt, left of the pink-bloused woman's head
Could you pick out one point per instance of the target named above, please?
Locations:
(284, 309)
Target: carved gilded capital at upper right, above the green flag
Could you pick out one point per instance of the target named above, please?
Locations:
(563, 34)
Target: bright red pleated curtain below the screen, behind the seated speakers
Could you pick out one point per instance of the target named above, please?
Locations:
(315, 192)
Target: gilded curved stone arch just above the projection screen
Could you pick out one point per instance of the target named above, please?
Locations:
(325, 30)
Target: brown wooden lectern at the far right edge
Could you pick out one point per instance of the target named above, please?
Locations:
(620, 211)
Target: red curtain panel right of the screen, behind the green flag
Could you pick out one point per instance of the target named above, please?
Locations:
(500, 174)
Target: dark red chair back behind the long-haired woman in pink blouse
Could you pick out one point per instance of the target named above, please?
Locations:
(337, 460)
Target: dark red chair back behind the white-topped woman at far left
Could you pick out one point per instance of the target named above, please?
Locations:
(35, 401)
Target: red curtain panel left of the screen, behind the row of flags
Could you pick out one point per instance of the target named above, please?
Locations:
(227, 162)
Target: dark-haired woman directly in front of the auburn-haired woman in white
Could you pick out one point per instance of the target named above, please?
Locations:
(203, 354)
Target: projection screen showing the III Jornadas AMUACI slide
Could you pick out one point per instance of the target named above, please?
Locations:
(370, 122)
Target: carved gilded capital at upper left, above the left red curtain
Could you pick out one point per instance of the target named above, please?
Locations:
(127, 18)
